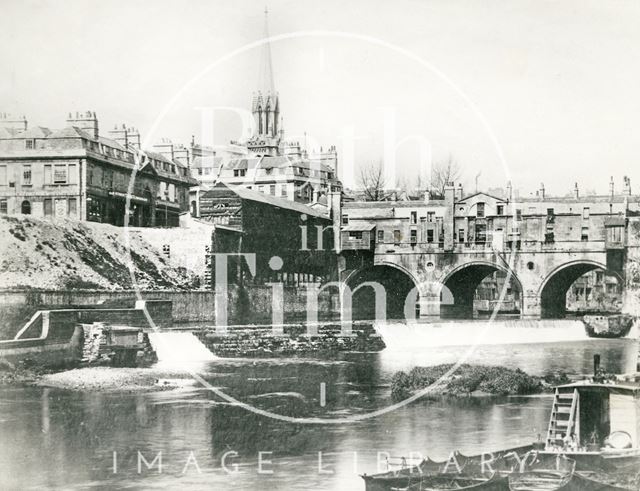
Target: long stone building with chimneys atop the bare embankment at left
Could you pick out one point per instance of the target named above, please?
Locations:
(77, 173)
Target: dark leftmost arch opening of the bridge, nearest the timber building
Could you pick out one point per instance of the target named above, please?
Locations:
(396, 283)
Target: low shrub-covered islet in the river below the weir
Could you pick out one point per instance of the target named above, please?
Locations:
(466, 380)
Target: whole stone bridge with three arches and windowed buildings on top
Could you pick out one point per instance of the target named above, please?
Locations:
(443, 249)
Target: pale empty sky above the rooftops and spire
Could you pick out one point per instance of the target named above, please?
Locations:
(528, 91)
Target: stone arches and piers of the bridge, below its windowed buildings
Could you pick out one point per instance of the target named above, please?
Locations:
(446, 282)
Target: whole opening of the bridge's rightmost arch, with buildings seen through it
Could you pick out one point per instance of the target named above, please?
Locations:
(576, 276)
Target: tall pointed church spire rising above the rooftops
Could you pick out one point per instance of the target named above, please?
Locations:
(265, 104)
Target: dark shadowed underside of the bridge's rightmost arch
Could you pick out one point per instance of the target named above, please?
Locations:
(554, 288)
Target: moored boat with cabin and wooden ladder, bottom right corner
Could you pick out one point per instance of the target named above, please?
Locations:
(594, 427)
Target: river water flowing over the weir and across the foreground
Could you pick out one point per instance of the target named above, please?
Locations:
(60, 439)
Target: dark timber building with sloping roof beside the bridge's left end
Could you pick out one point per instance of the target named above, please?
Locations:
(251, 222)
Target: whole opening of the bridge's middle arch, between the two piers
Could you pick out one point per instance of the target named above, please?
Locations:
(477, 289)
